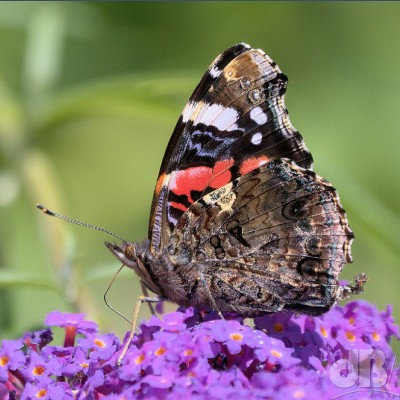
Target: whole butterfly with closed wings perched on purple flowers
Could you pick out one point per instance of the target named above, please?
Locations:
(239, 221)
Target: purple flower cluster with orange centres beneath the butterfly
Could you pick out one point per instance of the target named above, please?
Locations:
(345, 354)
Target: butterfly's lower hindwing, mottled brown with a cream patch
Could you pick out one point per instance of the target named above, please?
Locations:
(275, 238)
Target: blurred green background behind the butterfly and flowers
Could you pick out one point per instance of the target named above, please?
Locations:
(90, 93)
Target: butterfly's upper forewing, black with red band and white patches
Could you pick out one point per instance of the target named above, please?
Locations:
(235, 121)
